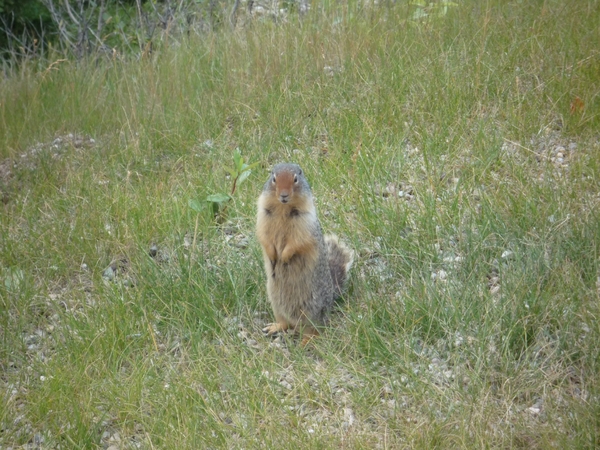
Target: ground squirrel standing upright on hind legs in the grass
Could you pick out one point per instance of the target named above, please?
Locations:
(305, 270)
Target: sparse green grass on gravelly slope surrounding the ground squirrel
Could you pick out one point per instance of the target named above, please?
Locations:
(472, 315)
